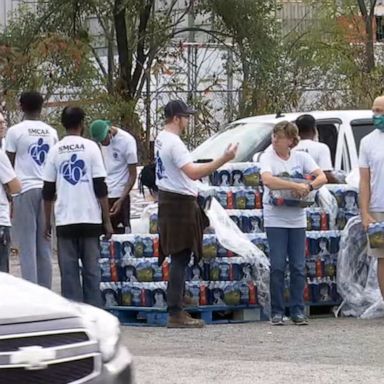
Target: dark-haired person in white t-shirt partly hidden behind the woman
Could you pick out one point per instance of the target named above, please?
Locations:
(319, 152)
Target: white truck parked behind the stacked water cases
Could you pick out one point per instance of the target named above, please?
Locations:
(342, 131)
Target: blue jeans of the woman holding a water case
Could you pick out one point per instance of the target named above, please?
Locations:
(287, 243)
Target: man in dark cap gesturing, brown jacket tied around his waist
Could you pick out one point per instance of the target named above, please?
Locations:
(181, 220)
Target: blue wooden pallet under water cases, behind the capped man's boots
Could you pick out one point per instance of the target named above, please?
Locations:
(142, 316)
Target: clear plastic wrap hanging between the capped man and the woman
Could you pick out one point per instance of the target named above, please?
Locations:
(230, 237)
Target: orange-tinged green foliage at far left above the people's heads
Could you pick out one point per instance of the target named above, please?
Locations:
(44, 60)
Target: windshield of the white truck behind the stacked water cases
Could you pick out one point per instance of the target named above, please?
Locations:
(252, 138)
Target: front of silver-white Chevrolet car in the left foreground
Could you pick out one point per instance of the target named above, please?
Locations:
(46, 339)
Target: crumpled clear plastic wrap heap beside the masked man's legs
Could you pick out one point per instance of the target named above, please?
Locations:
(357, 274)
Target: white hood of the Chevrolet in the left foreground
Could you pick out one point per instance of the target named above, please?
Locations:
(22, 301)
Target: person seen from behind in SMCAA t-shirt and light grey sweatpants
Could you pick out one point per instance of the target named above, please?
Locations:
(27, 145)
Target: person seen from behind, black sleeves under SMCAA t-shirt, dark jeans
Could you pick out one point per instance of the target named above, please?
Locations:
(75, 172)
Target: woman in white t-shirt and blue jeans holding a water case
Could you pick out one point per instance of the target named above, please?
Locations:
(285, 226)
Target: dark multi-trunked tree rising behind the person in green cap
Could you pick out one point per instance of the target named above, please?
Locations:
(133, 32)
